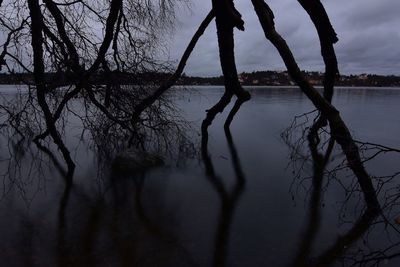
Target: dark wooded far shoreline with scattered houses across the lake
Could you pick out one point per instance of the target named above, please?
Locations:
(264, 78)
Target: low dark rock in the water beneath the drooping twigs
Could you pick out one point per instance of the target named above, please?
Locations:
(136, 160)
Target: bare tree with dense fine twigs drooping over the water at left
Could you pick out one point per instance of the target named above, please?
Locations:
(79, 41)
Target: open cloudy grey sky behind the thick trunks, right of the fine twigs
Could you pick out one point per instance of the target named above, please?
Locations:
(368, 31)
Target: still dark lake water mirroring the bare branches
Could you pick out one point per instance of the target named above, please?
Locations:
(259, 208)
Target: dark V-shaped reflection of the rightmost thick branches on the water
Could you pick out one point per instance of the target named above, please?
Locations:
(359, 228)
